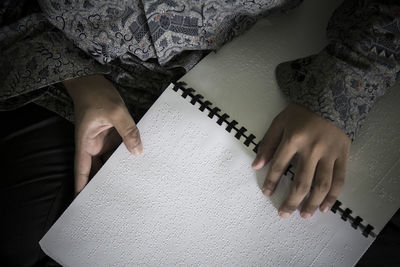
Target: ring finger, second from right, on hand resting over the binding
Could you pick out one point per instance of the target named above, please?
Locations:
(321, 186)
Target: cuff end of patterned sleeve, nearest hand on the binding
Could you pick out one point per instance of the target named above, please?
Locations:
(333, 89)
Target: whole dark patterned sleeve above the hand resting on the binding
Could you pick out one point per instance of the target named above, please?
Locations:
(361, 61)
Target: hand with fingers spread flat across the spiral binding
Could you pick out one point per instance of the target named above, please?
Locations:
(321, 151)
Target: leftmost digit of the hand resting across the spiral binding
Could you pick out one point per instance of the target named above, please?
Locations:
(268, 145)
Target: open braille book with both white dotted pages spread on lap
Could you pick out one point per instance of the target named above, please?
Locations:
(192, 198)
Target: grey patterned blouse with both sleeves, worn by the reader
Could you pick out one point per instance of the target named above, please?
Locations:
(141, 46)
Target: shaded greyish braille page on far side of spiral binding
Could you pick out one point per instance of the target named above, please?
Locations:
(240, 79)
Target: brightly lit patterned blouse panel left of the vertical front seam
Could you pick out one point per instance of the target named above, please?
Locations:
(104, 30)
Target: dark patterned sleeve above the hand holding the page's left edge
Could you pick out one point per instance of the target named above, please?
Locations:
(34, 57)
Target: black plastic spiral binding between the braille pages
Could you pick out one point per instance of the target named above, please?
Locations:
(232, 125)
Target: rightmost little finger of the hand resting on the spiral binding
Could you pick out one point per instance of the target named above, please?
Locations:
(339, 173)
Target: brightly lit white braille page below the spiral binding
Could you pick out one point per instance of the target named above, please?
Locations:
(191, 198)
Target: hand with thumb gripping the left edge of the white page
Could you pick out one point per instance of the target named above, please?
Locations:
(101, 119)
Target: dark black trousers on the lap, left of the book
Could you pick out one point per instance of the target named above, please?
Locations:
(37, 180)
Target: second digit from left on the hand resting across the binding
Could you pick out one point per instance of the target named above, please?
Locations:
(279, 163)
